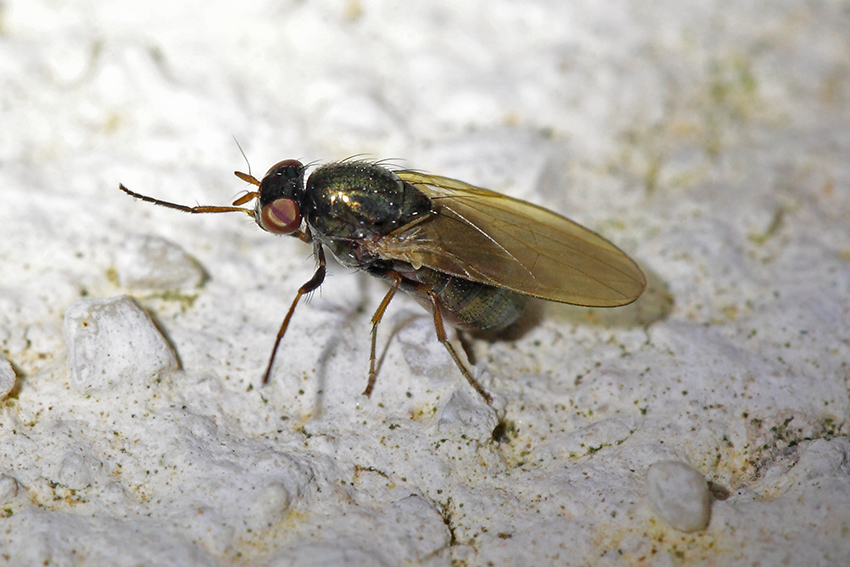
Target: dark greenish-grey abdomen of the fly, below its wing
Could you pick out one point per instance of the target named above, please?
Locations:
(469, 305)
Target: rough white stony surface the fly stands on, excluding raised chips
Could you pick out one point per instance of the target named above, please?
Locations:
(709, 140)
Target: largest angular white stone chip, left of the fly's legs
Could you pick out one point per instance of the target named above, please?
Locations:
(113, 340)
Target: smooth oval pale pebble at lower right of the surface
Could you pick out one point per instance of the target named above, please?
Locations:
(679, 495)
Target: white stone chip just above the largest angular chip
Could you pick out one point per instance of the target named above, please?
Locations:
(147, 262)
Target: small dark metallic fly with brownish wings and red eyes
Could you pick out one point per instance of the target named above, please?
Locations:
(471, 256)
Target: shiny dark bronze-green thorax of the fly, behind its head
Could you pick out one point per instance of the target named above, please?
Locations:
(360, 200)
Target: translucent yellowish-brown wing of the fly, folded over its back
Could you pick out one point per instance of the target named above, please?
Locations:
(489, 238)
